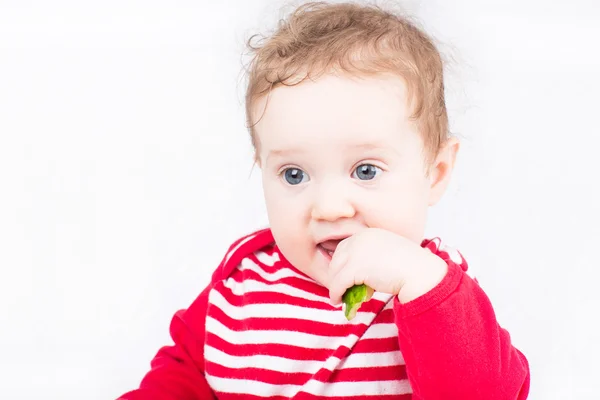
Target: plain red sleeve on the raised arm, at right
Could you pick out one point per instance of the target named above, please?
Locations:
(453, 346)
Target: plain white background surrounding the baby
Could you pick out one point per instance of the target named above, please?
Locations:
(125, 172)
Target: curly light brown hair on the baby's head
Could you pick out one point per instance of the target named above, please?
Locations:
(357, 39)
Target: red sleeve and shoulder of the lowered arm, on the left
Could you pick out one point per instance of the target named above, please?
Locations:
(177, 371)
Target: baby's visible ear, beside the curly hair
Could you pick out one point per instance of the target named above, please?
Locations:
(441, 170)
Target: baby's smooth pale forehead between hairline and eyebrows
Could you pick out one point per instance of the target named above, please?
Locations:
(333, 110)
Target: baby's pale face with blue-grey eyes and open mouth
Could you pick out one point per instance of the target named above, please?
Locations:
(337, 156)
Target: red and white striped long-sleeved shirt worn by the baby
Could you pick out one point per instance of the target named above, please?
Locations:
(262, 329)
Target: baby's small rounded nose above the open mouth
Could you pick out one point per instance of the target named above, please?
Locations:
(331, 203)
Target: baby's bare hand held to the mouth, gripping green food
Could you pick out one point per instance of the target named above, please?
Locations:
(385, 262)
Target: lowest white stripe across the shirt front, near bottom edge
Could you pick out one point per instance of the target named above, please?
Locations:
(348, 389)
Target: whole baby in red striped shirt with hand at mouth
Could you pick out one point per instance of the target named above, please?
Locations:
(347, 117)
